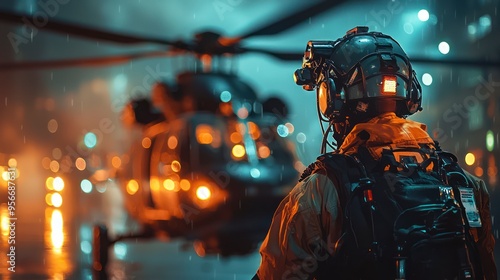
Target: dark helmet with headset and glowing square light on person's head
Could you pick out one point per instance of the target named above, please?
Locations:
(358, 77)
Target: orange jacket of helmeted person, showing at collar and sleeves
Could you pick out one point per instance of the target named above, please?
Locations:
(311, 213)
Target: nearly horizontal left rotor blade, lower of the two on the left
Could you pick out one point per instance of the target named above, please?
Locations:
(81, 62)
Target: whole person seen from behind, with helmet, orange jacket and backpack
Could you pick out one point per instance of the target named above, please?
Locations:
(363, 212)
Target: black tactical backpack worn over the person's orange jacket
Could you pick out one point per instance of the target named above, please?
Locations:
(407, 215)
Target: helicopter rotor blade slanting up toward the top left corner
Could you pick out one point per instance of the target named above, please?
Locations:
(87, 32)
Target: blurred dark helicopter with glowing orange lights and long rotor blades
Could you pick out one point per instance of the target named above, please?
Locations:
(161, 188)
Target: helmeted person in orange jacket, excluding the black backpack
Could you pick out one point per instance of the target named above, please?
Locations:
(365, 88)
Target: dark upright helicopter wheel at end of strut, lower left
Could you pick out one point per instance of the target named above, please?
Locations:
(100, 253)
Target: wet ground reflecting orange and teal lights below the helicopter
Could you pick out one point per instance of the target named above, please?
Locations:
(56, 243)
